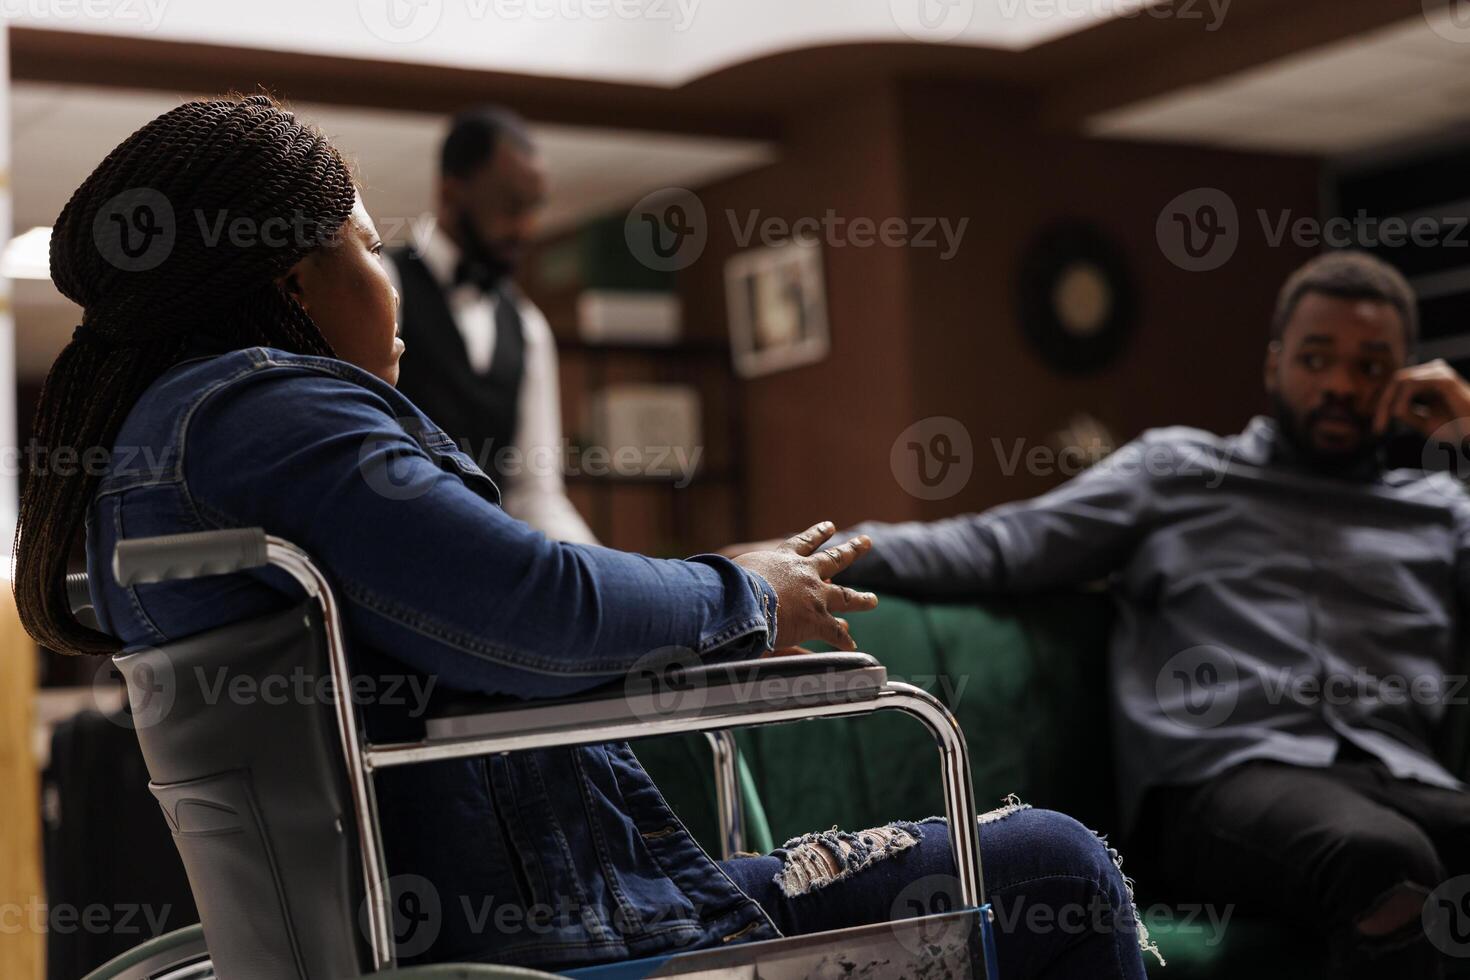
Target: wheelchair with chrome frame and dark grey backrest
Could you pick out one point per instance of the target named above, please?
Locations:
(274, 812)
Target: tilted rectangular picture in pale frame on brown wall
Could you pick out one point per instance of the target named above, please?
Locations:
(777, 303)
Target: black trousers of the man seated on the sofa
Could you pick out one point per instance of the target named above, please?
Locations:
(1324, 849)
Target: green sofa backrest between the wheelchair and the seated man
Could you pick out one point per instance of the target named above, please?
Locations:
(1027, 681)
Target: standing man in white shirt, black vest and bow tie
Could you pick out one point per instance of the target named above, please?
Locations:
(481, 359)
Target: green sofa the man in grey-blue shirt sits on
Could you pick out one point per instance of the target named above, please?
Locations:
(1027, 680)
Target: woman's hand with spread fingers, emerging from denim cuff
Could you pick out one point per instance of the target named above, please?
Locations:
(802, 575)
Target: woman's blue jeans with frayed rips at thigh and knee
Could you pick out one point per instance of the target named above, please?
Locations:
(1064, 909)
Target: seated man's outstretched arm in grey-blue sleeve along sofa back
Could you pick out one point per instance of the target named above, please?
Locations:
(1071, 536)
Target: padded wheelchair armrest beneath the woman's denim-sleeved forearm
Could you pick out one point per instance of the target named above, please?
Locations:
(799, 681)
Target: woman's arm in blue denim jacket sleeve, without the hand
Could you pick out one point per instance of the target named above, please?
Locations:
(434, 574)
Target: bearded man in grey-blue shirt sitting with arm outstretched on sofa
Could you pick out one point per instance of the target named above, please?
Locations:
(1288, 621)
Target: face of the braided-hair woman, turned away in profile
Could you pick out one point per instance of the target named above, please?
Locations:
(349, 296)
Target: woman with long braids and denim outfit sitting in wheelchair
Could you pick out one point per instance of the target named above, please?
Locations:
(236, 365)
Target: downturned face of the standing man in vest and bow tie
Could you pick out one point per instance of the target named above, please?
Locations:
(502, 201)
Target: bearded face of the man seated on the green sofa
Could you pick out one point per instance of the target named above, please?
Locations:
(1330, 371)
